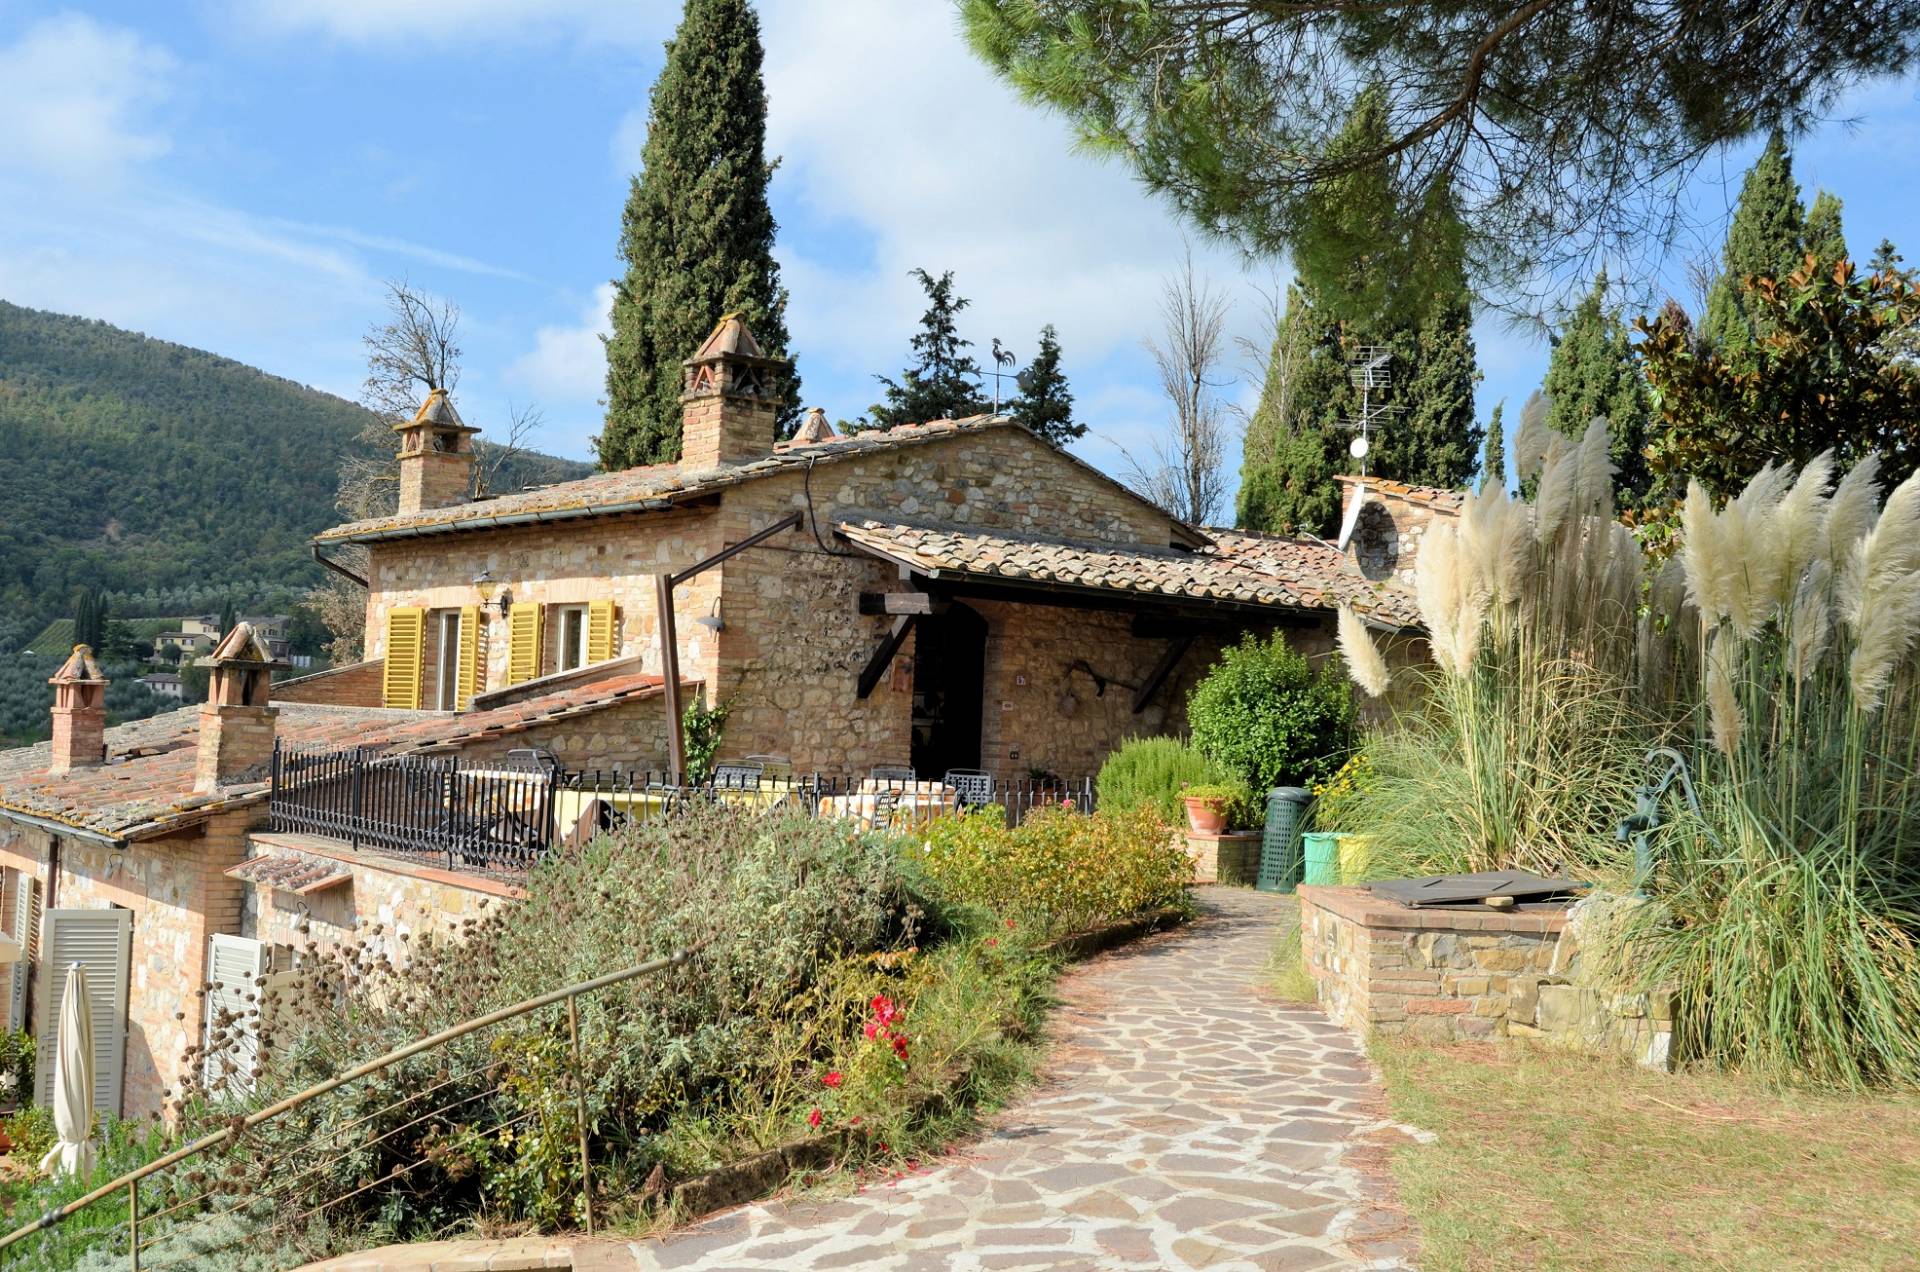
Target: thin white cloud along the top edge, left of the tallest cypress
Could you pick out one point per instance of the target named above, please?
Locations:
(452, 22)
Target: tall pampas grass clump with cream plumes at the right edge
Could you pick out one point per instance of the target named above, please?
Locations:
(1790, 908)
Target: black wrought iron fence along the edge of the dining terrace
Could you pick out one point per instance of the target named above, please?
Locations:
(485, 816)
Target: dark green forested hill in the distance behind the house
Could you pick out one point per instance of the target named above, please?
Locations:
(135, 466)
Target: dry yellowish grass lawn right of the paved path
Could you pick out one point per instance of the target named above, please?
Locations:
(1548, 1160)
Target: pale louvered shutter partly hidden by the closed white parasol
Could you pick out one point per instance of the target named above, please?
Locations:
(101, 942)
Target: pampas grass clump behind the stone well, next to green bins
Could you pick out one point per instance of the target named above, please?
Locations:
(1529, 739)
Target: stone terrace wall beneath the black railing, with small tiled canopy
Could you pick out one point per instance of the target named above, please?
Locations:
(389, 902)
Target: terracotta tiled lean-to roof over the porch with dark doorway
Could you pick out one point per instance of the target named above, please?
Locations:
(1239, 570)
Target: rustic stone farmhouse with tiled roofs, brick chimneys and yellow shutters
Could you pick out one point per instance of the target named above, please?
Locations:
(955, 595)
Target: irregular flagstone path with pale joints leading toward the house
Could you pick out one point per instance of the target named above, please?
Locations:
(1188, 1121)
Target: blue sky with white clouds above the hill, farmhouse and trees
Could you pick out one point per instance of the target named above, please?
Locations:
(241, 176)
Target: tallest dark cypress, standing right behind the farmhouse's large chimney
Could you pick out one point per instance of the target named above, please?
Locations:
(698, 233)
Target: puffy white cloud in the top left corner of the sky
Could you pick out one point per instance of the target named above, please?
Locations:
(80, 97)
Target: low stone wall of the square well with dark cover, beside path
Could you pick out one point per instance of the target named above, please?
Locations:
(1451, 975)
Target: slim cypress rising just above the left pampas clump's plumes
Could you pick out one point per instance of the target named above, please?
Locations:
(1593, 372)
